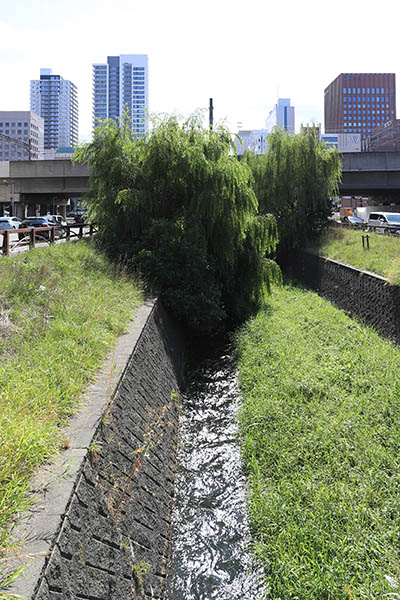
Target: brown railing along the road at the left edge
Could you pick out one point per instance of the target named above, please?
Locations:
(30, 236)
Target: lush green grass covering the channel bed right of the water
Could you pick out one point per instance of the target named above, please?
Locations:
(321, 443)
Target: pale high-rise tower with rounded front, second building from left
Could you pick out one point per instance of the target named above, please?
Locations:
(56, 101)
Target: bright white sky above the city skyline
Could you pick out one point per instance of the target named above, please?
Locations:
(244, 54)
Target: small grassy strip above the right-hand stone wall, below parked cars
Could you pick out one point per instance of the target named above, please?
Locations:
(345, 245)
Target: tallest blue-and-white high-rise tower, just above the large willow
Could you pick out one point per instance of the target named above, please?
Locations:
(121, 86)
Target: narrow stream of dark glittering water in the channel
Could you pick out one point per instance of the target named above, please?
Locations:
(211, 558)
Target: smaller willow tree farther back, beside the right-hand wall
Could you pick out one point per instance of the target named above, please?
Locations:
(295, 181)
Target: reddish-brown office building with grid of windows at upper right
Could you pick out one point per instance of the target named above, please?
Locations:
(360, 102)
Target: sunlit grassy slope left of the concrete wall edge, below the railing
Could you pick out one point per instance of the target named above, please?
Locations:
(61, 309)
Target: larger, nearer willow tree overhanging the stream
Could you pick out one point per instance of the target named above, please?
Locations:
(181, 206)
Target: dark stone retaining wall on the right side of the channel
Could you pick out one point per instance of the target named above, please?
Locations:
(363, 295)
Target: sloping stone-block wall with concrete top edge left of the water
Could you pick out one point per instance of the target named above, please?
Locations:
(112, 533)
